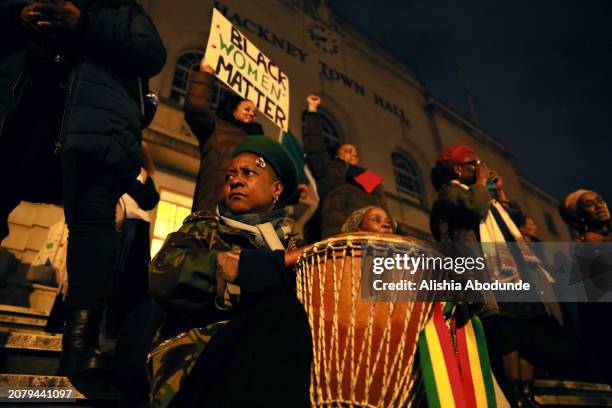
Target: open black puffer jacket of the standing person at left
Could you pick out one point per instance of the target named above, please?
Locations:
(114, 51)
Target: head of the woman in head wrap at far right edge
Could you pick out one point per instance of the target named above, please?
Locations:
(587, 213)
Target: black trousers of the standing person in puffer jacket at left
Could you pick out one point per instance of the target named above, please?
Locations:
(89, 190)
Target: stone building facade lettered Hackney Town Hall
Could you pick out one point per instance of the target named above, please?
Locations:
(369, 99)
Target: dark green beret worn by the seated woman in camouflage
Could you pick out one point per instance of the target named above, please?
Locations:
(276, 156)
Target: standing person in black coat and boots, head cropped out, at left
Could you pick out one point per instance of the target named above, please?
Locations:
(72, 83)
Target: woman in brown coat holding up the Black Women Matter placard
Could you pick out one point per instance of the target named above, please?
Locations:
(218, 133)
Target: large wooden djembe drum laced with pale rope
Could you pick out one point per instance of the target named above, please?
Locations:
(364, 351)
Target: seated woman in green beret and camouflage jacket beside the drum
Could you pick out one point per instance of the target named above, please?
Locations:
(235, 334)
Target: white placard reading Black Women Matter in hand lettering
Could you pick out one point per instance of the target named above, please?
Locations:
(247, 71)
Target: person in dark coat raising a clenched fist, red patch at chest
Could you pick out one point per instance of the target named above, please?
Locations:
(342, 185)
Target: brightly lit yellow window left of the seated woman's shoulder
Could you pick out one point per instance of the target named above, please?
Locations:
(172, 210)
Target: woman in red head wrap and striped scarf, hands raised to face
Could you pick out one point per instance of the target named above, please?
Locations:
(471, 207)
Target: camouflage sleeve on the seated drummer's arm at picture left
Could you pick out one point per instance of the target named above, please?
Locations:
(185, 268)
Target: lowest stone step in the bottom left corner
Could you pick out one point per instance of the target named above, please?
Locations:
(87, 393)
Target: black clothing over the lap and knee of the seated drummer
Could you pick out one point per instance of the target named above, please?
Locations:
(260, 359)
